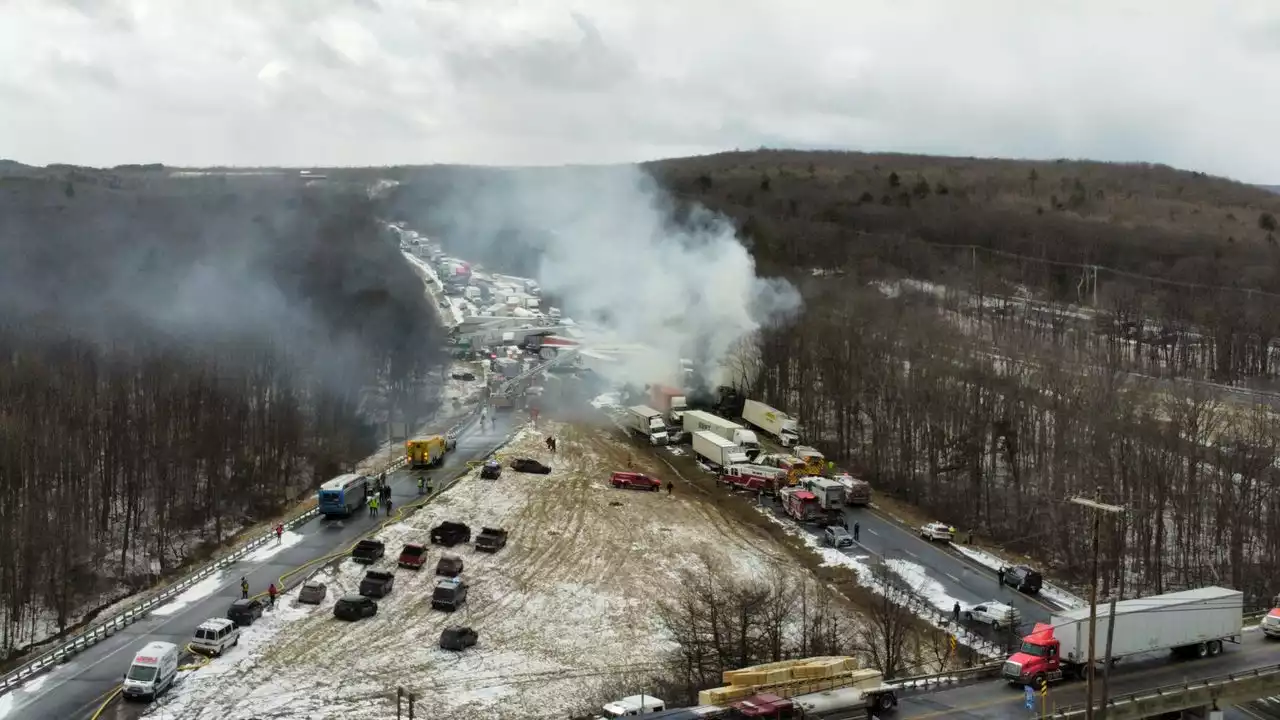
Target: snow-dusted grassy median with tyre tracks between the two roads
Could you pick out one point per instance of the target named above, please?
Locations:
(566, 605)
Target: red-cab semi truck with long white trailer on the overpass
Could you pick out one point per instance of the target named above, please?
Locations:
(1190, 623)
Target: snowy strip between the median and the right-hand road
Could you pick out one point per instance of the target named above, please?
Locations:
(918, 593)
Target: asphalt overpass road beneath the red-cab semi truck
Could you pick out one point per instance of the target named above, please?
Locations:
(999, 700)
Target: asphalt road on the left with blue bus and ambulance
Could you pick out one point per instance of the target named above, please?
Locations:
(76, 690)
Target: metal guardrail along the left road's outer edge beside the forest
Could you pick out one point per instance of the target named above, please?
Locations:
(104, 630)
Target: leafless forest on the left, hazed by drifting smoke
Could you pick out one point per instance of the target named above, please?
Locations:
(184, 358)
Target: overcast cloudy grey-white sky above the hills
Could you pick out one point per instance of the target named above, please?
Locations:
(301, 83)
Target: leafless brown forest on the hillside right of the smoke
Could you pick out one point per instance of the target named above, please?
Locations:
(1075, 294)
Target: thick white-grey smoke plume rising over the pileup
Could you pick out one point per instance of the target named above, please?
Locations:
(656, 281)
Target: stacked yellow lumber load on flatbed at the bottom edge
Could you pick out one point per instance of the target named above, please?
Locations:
(790, 678)
